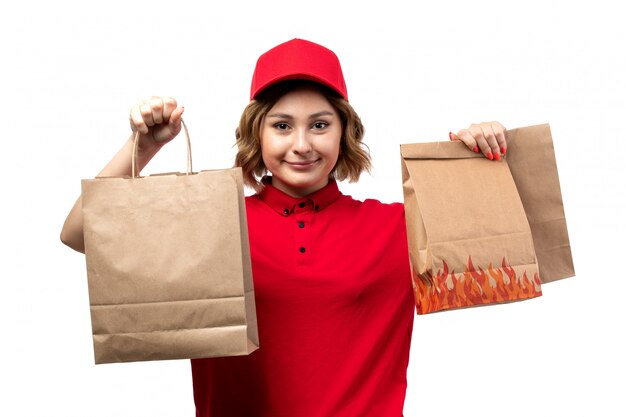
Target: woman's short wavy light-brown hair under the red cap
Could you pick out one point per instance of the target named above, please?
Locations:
(354, 155)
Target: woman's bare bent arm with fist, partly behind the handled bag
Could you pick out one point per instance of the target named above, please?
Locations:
(158, 120)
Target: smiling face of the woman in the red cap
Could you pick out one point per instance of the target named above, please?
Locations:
(300, 141)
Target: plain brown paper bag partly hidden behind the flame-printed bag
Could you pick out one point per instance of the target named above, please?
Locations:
(530, 156)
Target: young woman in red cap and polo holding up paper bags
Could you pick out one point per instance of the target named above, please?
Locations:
(332, 278)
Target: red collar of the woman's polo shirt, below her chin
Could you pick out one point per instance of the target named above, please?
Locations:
(284, 204)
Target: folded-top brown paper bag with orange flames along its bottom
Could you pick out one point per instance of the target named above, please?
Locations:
(469, 240)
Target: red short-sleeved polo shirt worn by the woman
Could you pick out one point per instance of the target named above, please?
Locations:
(335, 312)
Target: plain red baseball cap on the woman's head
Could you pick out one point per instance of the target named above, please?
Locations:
(298, 59)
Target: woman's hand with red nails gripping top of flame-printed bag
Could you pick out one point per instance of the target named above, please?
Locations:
(486, 137)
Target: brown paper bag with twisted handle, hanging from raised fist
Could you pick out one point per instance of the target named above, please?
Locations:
(168, 266)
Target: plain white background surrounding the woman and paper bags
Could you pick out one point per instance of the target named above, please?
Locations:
(71, 71)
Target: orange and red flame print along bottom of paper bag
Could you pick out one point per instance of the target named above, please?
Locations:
(446, 290)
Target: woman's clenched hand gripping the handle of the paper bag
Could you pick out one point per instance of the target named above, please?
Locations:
(158, 121)
